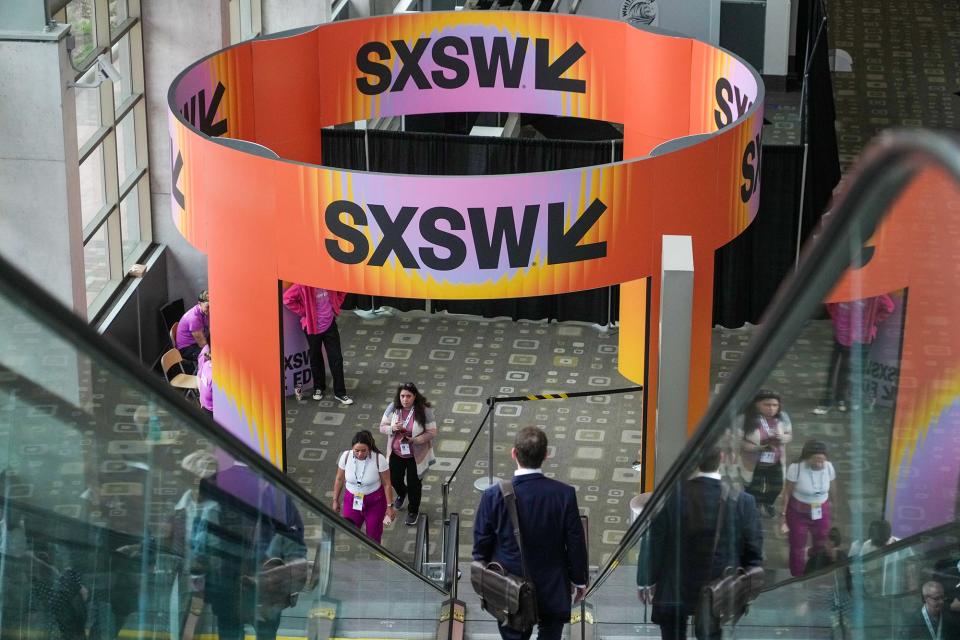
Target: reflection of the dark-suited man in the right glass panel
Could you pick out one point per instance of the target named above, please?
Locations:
(680, 559)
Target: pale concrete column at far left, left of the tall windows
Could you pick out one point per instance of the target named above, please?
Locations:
(40, 221)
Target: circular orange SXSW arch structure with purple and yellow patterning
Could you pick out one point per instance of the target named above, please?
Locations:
(263, 219)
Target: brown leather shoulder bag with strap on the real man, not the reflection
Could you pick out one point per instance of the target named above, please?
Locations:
(511, 599)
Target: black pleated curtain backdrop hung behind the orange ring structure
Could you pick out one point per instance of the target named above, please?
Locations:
(748, 270)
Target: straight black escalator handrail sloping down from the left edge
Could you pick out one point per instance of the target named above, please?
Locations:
(63, 322)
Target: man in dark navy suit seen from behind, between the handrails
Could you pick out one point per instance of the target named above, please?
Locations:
(553, 540)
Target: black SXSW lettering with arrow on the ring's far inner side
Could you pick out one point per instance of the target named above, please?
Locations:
(451, 55)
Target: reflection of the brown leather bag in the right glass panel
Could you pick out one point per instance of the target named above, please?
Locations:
(725, 600)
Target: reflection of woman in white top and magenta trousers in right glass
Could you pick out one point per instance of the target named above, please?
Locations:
(807, 499)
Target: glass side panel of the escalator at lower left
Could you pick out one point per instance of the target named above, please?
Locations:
(126, 512)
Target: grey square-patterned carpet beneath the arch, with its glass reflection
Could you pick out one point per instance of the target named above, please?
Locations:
(459, 362)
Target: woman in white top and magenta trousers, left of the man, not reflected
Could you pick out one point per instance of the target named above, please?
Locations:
(368, 495)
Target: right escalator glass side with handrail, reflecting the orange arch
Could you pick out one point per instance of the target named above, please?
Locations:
(839, 426)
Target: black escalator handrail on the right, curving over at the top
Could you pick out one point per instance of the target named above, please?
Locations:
(888, 166)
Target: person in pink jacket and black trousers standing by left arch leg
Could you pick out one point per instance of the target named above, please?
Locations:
(318, 310)
